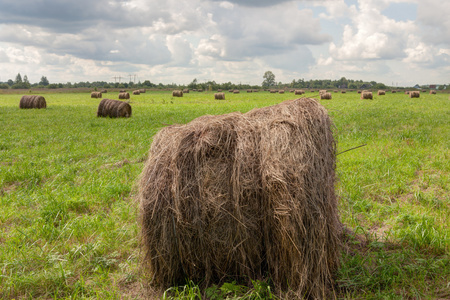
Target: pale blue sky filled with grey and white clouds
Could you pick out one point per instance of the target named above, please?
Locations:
(399, 42)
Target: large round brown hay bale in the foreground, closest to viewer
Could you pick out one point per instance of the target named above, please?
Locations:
(242, 196)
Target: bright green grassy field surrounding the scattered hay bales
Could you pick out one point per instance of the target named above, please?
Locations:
(68, 216)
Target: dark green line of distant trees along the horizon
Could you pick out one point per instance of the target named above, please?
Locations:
(211, 85)
